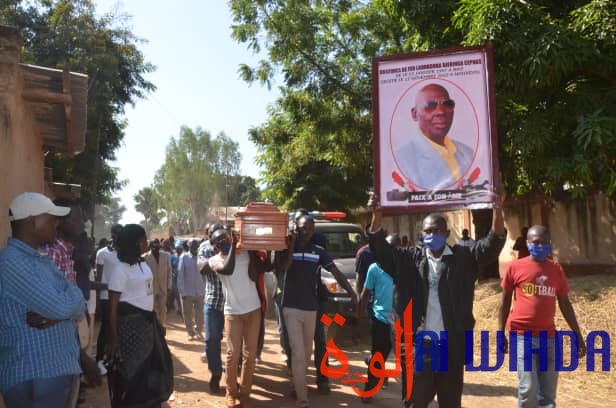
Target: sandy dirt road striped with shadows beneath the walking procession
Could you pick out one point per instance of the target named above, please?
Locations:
(482, 389)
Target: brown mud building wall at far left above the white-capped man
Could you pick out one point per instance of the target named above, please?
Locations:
(21, 147)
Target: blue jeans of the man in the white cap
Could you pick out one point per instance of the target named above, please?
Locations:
(42, 393)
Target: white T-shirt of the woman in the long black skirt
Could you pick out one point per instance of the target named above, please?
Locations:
(135, 283)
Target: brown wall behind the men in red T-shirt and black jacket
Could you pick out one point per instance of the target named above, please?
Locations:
(583, 232)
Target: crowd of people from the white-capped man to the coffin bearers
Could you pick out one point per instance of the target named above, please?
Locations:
(51, 277)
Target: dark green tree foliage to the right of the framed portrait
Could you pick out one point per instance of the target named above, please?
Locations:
(555, 83)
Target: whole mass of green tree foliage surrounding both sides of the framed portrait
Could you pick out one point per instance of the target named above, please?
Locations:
(555, 87)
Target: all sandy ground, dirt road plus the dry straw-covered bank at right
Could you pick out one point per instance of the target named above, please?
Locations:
(592, 297)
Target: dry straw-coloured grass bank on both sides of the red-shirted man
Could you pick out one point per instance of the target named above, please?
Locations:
(594, 302)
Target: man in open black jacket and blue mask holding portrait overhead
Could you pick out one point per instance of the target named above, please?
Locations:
(440, 279)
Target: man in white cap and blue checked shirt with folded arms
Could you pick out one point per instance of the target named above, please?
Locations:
(37, 367)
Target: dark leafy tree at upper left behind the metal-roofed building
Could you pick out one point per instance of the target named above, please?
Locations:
(60, 33)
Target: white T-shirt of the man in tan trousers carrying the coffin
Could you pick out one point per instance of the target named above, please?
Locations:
(241, 294)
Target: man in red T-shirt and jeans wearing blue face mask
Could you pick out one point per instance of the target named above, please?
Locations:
(539, 283)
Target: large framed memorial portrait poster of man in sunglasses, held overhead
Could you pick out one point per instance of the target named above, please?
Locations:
(435, 143)
